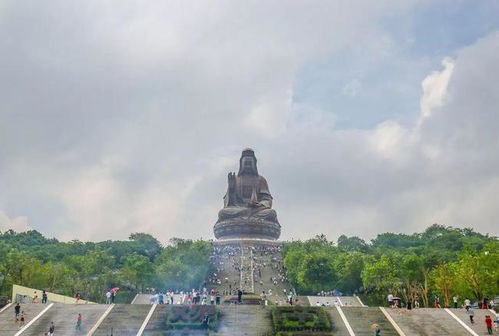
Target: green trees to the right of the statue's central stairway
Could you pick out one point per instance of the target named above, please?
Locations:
(442, 261)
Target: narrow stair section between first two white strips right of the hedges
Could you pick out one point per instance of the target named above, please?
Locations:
(362, 318)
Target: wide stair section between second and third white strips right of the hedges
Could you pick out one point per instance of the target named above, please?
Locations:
(426, 322)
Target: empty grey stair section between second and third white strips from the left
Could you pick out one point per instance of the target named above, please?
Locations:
(123, 320)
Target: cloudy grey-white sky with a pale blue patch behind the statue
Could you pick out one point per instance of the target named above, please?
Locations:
(366, 116)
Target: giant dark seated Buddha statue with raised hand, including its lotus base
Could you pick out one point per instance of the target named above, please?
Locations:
(247, 211)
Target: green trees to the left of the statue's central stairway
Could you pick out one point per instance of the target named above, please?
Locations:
(30, 259)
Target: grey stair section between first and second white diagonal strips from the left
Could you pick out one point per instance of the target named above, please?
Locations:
(64, 318)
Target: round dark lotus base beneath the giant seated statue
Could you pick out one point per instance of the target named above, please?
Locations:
(247, 228)
